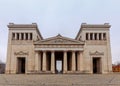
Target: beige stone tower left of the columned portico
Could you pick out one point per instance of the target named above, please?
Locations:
(20, 46)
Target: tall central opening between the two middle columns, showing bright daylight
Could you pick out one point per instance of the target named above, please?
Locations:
(58, 62)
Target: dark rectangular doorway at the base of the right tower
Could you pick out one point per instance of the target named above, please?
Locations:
(96, 65)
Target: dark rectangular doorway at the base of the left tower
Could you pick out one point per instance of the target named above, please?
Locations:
(21, 65)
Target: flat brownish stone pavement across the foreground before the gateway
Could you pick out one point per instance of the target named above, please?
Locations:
(60, 80)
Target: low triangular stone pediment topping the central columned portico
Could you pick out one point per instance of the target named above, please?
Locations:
(59, 40)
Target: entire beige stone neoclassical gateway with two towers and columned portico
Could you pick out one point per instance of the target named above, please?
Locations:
(28, 52)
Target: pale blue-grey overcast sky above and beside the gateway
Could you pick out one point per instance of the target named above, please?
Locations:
(60, 16)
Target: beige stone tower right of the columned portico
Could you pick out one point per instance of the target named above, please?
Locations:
(97, 51)
